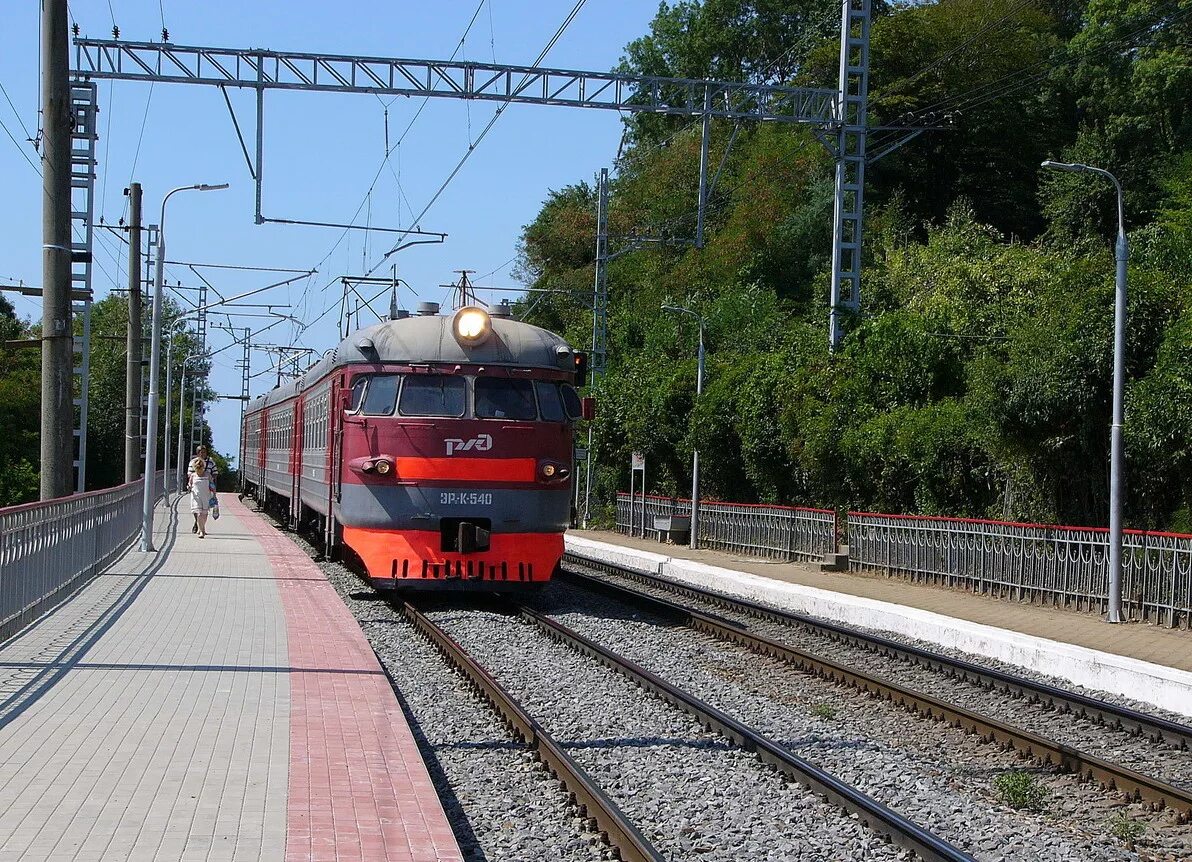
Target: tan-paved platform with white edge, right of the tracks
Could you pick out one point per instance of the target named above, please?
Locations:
(1148, 663)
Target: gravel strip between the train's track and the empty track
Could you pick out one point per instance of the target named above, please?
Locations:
(936, 774)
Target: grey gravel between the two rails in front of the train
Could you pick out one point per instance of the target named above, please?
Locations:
(692, 793)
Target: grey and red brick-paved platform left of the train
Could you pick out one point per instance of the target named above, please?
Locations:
(214, 700)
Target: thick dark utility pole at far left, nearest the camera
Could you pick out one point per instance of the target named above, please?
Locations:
(58, 334)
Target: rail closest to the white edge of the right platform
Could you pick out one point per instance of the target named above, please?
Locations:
(1112, 715)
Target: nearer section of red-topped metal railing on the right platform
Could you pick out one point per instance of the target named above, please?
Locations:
(1044, 565)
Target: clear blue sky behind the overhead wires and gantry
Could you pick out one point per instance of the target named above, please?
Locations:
(322, 151)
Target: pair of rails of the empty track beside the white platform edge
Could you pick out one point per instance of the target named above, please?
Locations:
(1109, 774)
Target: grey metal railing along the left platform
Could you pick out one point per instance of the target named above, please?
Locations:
(49, 550)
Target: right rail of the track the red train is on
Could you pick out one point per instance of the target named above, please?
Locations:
(878, 817)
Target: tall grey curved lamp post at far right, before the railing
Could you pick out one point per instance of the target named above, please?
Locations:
(1122, 255)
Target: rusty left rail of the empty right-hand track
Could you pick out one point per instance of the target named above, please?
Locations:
(1069, 759)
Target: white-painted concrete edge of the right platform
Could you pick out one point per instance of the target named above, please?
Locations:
(1169, 689)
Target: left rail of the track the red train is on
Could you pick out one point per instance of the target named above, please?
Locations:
(587, 795)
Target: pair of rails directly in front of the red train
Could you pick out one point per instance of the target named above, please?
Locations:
(620, 833)
